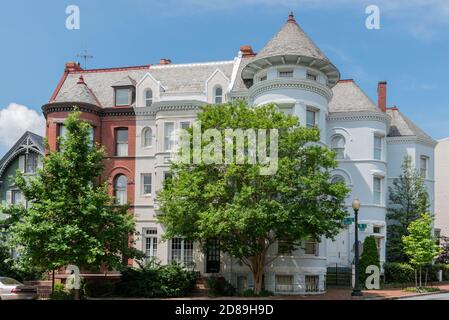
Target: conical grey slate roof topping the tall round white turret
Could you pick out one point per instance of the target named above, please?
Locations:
(291, 39)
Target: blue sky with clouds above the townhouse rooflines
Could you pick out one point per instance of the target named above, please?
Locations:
(410, 50)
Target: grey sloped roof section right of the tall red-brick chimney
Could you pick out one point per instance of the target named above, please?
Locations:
(402, 126)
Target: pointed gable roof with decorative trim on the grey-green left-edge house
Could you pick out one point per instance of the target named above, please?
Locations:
(27, 142)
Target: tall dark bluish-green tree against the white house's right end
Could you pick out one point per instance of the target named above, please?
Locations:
(408, 200)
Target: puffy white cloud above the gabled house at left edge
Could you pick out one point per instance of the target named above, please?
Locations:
(15, 120)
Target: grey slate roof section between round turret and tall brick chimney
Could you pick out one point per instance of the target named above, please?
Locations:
(349, 97)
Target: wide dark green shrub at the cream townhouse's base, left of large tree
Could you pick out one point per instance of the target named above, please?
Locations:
(154, 281)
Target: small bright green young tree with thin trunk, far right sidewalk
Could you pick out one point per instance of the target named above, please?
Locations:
(420, 244)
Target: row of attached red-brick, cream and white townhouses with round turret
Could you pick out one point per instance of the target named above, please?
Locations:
(136, 111)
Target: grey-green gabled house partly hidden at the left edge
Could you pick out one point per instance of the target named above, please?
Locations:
(26, 156)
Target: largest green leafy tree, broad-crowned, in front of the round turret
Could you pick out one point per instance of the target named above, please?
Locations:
(246, 211)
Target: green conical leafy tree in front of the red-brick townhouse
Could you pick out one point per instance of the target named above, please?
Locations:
(70, 217)
